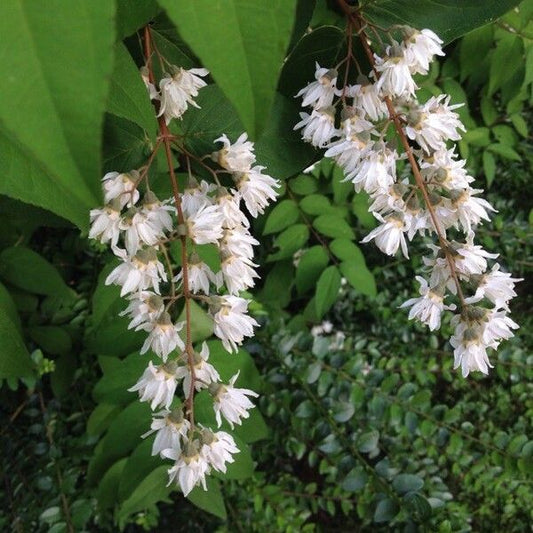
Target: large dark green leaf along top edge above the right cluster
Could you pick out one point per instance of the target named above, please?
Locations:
(448, 18)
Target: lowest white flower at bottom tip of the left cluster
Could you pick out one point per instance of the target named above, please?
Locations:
(190, 468)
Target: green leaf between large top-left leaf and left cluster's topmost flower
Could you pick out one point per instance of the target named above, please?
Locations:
(128, 97)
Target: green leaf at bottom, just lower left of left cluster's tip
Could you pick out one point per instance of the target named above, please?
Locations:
(152, 489)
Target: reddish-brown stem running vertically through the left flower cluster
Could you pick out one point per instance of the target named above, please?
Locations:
(167, 138)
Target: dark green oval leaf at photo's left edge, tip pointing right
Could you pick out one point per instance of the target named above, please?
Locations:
(28, 270)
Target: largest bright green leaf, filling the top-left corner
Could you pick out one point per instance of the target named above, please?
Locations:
(57, 57)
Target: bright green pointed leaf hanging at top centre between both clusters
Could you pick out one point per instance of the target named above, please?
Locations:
(243, 44)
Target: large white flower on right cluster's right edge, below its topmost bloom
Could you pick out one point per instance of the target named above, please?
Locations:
(434, 123)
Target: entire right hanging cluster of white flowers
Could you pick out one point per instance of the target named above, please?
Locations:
(440, 199)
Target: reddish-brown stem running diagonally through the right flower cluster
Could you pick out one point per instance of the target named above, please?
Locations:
(355, 18)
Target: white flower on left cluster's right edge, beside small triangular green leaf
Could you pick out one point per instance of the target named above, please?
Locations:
(231, 323)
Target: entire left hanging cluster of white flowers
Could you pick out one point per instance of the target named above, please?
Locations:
(139, 231)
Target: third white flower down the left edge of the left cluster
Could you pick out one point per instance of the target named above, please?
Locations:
(138, 273)
